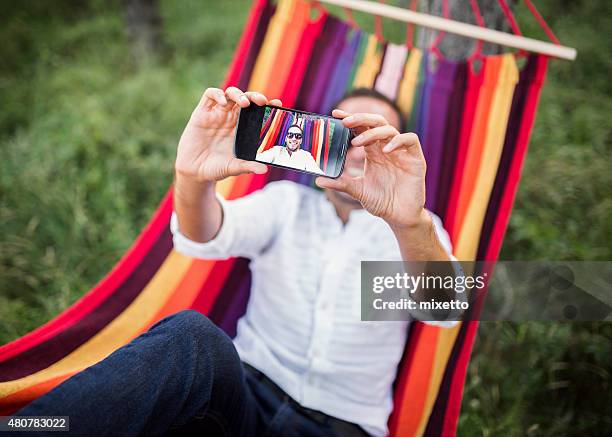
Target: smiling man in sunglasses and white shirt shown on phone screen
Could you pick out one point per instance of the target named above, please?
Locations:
(291, 155)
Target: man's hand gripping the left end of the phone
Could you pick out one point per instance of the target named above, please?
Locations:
(205, 151)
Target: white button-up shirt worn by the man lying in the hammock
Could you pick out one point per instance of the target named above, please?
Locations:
(302, 326)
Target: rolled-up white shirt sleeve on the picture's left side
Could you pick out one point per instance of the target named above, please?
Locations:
(249, 225)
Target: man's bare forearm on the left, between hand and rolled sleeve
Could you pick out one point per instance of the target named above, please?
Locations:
(199, 212)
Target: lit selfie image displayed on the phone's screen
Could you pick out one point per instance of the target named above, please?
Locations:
(301, 141)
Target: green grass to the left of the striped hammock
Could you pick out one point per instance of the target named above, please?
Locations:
(88, 141)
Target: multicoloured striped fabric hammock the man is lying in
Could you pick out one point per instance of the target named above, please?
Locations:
(474, 125)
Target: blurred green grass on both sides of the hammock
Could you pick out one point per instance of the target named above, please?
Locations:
(87, 141)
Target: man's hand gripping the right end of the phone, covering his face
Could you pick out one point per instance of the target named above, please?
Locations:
(393, 184)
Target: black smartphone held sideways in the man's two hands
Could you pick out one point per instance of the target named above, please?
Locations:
(297, 140)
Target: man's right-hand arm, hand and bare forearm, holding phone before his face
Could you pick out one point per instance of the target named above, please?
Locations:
(393, 188)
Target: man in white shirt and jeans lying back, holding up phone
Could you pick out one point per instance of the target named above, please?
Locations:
(302, 362)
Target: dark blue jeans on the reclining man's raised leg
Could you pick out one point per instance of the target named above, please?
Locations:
(182, 377)
